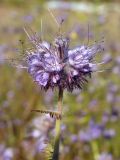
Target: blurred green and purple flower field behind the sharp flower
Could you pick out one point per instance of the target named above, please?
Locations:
(91, 120)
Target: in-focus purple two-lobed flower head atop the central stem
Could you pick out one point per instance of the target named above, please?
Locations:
(55, 65)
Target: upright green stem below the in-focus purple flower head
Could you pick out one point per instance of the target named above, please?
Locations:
(57, 127)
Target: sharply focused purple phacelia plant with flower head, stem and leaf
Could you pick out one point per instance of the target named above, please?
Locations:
(55, 65)
